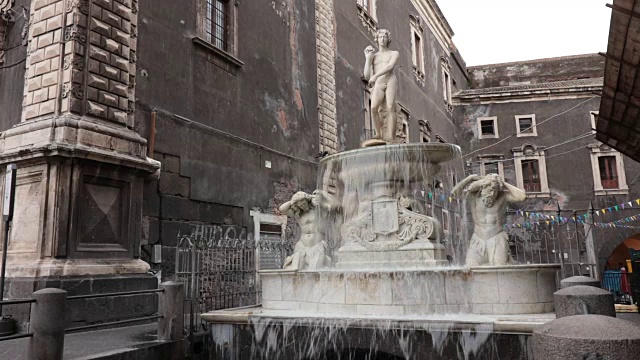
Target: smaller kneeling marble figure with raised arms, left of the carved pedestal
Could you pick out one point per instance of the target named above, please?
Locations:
(310, 251)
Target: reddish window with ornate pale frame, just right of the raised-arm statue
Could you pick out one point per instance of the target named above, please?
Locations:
(531, 170)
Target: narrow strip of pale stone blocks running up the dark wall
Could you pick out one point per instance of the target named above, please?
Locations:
(326, 64)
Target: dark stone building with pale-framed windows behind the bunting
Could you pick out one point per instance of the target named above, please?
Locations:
(533, 123)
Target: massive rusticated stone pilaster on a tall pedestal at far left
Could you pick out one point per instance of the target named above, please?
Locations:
(80, 164)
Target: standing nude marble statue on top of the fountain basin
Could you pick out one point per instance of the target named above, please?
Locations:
(378, 71)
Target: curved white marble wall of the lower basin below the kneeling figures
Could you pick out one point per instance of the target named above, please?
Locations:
(497, 290)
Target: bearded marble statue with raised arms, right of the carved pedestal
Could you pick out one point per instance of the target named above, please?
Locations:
(488, 197)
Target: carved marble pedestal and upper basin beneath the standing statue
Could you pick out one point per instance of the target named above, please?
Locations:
(382, 227)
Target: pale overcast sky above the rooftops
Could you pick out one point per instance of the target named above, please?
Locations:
(496, 31)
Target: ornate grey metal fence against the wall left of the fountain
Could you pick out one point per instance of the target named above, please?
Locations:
(223, 273)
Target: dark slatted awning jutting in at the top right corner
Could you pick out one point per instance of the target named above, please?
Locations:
(618, 122)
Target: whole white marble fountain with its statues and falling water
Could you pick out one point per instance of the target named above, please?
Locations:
(370, 278)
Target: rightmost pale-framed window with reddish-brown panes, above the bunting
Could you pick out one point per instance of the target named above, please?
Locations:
(607, 166)
